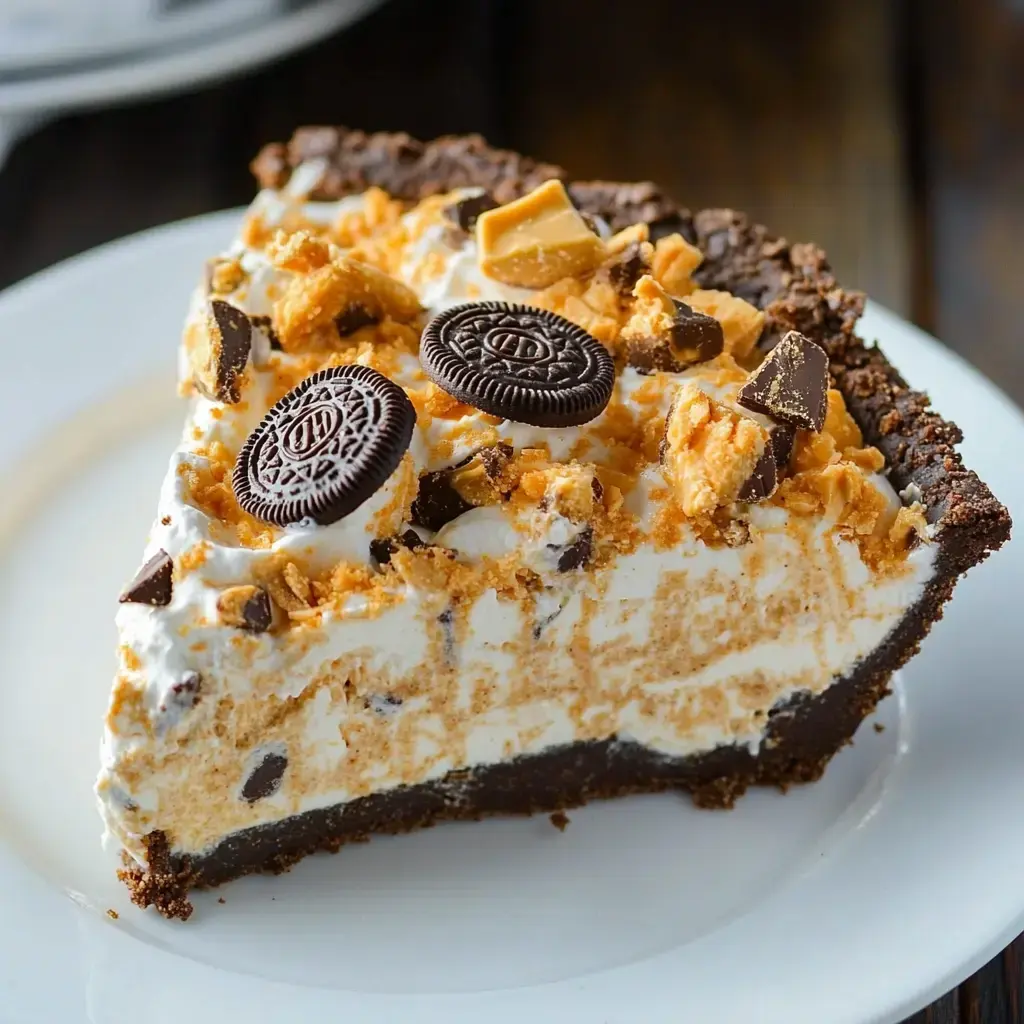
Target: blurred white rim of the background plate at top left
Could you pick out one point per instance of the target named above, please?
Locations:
(219, 56)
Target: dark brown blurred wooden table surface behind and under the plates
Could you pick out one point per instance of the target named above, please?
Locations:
(892, 134)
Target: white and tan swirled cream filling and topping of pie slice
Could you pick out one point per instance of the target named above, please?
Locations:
(676, 644)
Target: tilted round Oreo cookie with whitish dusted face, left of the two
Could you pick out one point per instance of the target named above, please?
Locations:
(326, 448)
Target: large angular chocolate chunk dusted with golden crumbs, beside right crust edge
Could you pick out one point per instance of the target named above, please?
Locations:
(792, 385)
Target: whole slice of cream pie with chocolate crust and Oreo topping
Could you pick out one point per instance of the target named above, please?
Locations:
(500, 493)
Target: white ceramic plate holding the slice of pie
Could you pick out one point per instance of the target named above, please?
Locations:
(857, 900)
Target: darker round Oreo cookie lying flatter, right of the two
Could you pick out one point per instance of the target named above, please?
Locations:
(522, 364)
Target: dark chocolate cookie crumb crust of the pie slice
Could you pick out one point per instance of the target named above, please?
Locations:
(796, 288)
